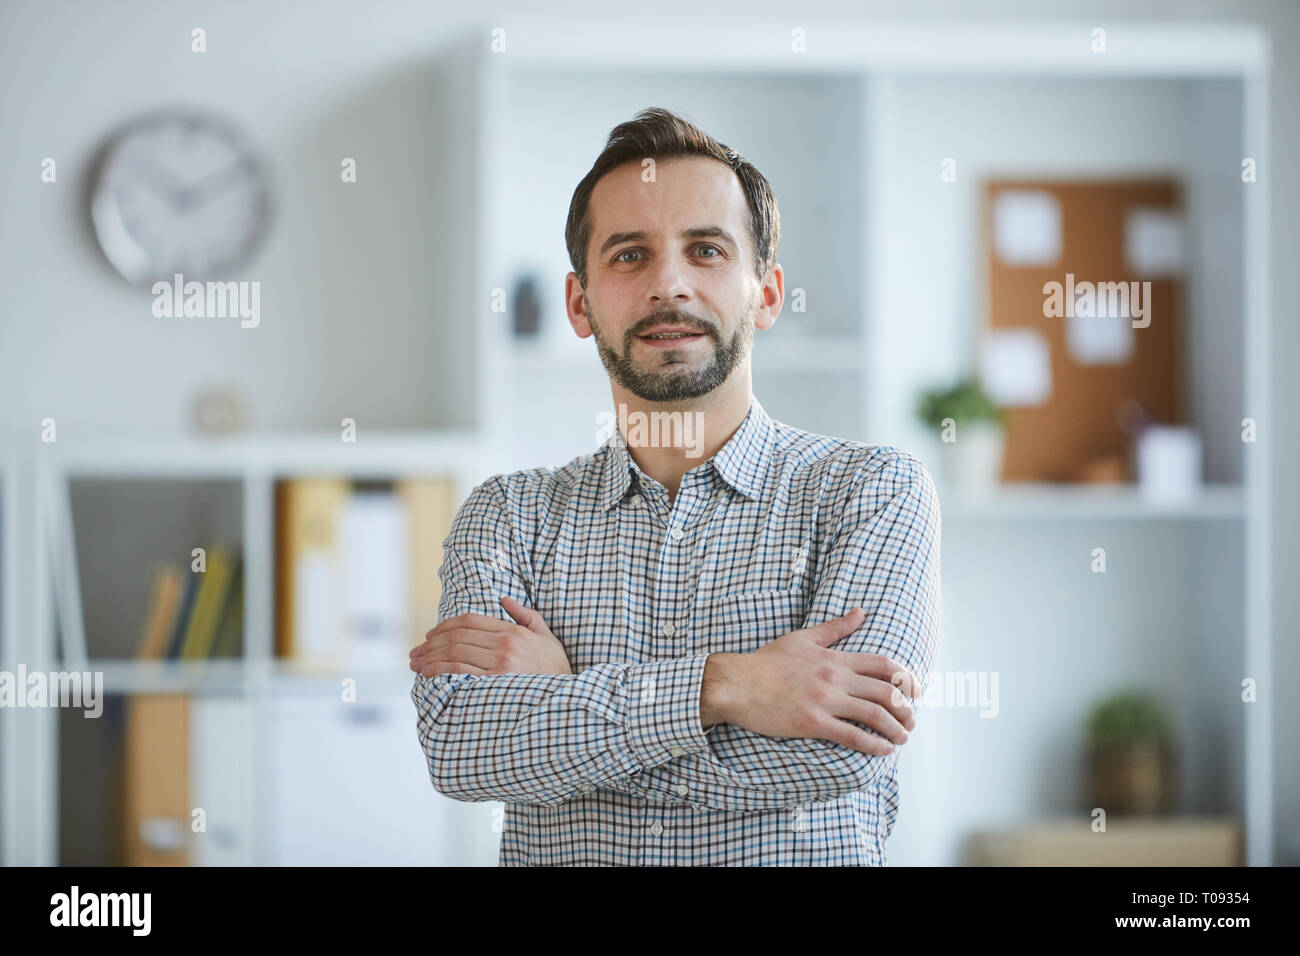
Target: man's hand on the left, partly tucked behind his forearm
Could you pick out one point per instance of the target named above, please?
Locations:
(478, 644)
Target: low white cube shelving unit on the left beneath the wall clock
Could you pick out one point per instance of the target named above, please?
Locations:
(249, 468)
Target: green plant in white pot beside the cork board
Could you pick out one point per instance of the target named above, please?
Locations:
(972, 432)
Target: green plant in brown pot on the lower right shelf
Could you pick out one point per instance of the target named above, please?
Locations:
(1129, 755)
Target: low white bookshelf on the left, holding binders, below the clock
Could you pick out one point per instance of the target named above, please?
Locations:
(196, 491)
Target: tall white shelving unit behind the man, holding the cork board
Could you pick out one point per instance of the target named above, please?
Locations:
(877, 327)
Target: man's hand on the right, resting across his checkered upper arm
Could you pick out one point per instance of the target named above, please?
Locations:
(798, 687)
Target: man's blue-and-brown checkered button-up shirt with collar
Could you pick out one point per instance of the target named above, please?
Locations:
(609, 765)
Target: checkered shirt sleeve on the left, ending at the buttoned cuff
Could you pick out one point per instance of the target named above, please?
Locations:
(541, 738)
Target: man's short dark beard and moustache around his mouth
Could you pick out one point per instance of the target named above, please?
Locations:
(653, 378)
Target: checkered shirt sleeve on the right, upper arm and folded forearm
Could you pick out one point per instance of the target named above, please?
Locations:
(886, 559)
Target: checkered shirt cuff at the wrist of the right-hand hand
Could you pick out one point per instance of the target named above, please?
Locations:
(664, 710)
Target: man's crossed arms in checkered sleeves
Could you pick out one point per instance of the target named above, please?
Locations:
(549, 738)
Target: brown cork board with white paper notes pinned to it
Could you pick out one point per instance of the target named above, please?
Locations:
(1093, 370)
